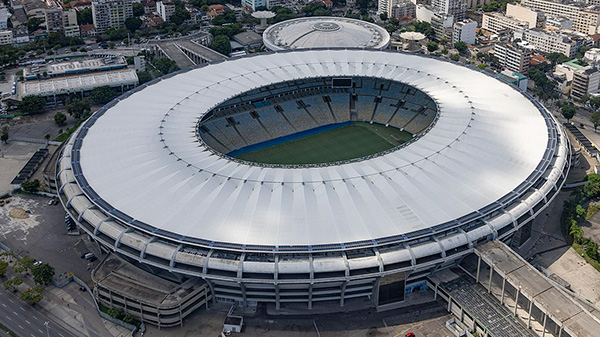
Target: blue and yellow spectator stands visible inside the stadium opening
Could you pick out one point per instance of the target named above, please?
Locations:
(289, 109)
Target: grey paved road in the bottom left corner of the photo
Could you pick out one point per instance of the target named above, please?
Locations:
(24, 320)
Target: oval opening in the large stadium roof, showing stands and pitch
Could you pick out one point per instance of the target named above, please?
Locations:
(317, 121)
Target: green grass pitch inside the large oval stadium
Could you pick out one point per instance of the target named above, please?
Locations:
(348, 142)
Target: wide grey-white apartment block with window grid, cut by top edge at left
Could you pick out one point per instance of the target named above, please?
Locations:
(111, 13)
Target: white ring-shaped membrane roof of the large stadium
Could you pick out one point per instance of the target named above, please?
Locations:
(144, 163)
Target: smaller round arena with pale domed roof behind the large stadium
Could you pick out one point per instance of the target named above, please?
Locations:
(324, 32)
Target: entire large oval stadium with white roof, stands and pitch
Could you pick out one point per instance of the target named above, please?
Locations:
(313, 178)
